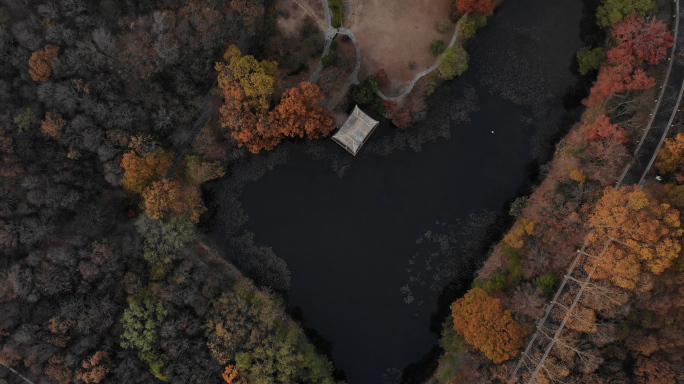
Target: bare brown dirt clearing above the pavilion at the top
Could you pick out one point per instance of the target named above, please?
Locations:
(393, 33)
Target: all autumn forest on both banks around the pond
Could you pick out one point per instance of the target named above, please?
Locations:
(115, 112)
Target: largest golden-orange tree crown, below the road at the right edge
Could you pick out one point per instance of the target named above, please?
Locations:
(646, 237)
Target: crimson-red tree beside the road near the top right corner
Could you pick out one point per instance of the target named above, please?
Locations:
(640, 40)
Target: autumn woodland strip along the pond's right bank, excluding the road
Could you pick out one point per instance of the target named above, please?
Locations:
(626, 324)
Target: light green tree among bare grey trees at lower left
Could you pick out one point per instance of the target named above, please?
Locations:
(141, 322)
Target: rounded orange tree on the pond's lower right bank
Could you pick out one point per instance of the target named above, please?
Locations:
(485, 325)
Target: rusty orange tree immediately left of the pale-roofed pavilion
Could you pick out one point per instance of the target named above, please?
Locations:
(298, 115)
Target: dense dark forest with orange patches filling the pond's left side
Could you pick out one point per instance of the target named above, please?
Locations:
(104, 275)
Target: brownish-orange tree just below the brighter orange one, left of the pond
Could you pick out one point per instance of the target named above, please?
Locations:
(170, 198)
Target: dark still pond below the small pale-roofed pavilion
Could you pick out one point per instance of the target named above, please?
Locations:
(347, 227)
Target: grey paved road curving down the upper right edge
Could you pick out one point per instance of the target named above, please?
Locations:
(665, 112)
